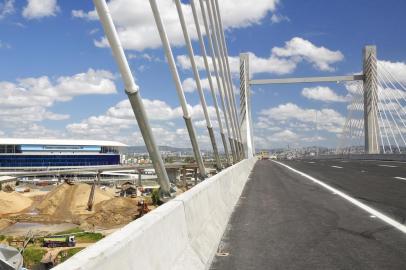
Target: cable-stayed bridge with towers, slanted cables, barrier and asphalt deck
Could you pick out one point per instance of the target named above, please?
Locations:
(304, 214)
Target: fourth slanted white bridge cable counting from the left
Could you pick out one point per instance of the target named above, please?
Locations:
(212, 90)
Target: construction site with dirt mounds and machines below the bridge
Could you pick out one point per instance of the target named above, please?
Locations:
(33, 211)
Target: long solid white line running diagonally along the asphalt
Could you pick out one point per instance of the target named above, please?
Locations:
(355, 202)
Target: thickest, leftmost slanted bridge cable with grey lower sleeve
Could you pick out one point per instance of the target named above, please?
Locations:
(132, 90)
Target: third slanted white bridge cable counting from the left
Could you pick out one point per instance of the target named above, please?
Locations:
(198, 83)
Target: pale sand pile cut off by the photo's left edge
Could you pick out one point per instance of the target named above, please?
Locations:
(13, 202)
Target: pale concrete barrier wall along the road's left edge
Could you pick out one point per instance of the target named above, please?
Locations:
(181, 234)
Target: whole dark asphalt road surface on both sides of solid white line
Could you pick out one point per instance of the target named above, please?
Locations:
(285, 221)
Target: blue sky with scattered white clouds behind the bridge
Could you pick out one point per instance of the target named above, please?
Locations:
(58, 78)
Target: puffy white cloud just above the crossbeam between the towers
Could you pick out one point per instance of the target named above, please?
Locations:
(321, 57)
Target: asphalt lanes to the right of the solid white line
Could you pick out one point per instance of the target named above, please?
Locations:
(376, 183)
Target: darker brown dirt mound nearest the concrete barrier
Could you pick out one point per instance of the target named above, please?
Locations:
(114, 212)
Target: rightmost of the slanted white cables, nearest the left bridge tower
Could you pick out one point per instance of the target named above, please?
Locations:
(225, 52)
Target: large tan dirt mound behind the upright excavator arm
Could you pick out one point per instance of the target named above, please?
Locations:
(69, 201)
